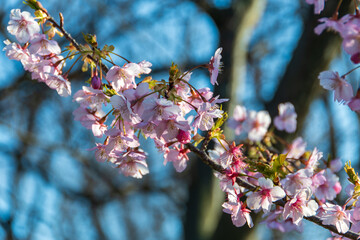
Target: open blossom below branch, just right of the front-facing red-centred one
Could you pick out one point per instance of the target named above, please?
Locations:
(300, 206)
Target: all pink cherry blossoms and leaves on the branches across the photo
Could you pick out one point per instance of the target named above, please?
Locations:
(262, 172)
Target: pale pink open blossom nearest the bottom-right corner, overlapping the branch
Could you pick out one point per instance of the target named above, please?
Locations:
(337, 216)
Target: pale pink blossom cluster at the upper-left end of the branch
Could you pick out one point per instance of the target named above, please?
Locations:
(39, 54)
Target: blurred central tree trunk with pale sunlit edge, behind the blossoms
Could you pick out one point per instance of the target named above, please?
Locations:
(204, 218)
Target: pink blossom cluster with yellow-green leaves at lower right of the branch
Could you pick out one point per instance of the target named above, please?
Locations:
(295, 179)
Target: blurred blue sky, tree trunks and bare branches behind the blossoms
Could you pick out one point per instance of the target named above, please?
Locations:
(51, 186)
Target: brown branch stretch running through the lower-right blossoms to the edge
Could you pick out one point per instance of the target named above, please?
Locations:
(243, 183)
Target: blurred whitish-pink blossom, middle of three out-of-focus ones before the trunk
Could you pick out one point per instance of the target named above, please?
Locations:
(257, 125)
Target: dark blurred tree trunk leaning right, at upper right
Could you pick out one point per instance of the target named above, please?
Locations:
(313, 54)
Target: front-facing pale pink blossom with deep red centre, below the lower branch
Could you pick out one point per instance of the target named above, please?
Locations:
(264, 197)
